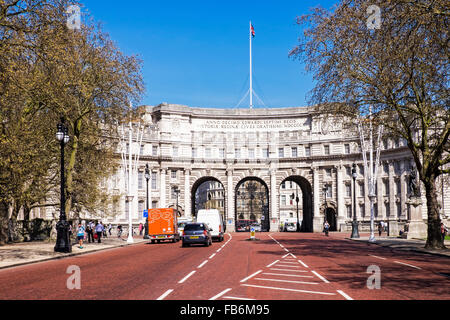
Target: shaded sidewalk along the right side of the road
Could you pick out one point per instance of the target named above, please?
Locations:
(414, 245)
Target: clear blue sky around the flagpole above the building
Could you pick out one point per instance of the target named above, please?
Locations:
(196, 53)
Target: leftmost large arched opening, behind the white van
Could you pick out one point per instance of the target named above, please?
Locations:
(208, 193)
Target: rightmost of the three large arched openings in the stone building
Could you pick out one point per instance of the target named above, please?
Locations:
(295, 199)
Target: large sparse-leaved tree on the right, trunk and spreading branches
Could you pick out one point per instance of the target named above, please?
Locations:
(392, 57)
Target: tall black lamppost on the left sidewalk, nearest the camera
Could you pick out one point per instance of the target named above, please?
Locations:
(63, 243)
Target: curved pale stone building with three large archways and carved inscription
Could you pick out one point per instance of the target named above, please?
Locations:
(267, 165)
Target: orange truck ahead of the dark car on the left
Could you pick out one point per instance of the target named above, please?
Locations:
(163, 225)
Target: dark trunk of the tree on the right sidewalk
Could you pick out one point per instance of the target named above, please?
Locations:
(434, 238)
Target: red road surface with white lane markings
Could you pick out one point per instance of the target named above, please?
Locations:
(277, 266)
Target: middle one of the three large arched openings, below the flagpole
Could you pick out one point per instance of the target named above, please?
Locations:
(252, 204)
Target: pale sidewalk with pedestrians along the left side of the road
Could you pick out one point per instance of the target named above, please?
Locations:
(17, 254)
